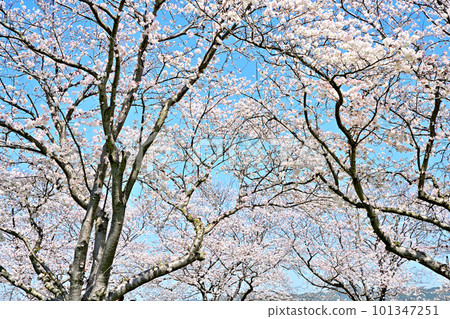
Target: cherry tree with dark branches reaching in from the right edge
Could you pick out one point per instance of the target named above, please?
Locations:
(364, 85)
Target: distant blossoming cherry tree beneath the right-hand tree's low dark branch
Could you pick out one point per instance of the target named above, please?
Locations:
(337, 250)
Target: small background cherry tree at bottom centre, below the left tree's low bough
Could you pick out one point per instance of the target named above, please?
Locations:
(243, 257)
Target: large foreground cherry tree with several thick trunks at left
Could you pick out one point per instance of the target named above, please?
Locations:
(91, 95)
